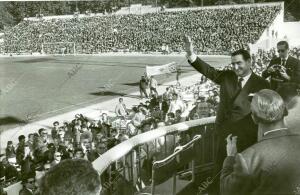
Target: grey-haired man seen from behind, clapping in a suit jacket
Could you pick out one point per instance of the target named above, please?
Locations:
(270, 166)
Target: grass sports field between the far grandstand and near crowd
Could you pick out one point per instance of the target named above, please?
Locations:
(39, 87)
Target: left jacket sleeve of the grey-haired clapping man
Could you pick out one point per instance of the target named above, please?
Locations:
(235, 177)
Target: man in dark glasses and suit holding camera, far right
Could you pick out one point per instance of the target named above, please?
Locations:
(284, 68)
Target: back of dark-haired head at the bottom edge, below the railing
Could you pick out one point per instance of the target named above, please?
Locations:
(71, 177)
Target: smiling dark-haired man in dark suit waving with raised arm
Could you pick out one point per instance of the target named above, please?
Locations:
(234, 108)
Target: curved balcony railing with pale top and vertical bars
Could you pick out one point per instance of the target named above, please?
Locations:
(127, 160)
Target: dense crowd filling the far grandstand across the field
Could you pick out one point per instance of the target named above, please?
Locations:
(236, 28)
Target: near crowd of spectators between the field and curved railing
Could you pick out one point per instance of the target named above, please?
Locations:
(88, 138)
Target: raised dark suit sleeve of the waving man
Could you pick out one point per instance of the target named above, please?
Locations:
(207, 70)
